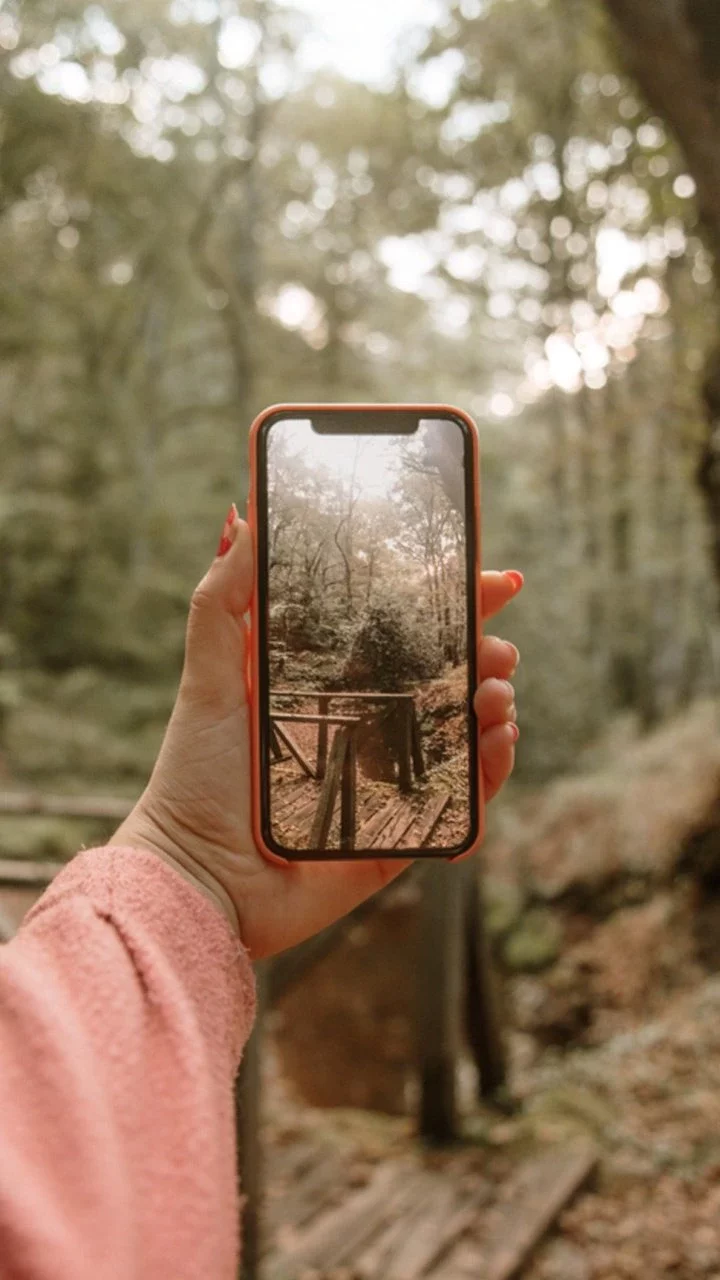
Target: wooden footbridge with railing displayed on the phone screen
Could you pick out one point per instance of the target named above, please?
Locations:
(321, 798)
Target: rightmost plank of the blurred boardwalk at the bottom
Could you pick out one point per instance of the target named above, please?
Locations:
(545, 1187)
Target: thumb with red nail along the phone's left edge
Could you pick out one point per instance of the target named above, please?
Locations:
(217, 633)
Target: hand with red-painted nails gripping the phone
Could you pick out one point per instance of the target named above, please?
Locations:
(195, 812)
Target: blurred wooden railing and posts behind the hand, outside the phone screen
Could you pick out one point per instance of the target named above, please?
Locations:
(455, 989)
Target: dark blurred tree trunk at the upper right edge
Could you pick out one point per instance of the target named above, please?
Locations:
(673, 51)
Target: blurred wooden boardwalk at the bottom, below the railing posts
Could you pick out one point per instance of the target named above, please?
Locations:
(414, 1217)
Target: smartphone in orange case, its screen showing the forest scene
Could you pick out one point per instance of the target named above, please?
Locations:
(366, 628)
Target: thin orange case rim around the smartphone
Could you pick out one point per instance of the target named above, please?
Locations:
(254, 657)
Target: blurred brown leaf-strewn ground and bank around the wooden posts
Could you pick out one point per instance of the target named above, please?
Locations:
(605, 907)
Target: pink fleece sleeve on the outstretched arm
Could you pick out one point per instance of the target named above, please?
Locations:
(125, 1005)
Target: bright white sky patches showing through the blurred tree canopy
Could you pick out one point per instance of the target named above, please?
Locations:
(364, 40)
